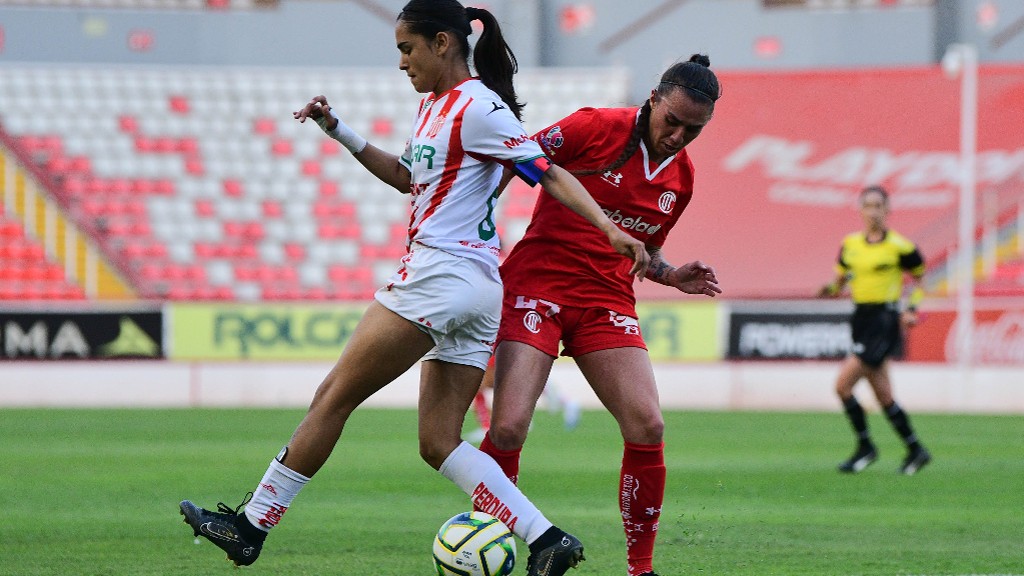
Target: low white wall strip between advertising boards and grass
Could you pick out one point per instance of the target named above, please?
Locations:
(717, 386)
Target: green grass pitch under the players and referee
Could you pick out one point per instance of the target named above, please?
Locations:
(96, 492)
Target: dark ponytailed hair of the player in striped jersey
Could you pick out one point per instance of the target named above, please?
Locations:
(493, 59)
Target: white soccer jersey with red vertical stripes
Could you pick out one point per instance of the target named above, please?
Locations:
(461, 141)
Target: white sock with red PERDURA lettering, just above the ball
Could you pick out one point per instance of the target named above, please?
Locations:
(481, 478)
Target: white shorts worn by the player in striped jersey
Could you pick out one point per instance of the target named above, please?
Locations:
(456, 301)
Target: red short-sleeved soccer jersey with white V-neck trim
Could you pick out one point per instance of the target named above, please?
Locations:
(563, 258)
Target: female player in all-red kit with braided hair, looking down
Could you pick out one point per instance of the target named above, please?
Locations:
(564, 283)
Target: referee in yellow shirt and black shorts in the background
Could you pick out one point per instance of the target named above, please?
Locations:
(875, 263)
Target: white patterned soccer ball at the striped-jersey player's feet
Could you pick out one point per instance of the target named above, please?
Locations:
(475, 545)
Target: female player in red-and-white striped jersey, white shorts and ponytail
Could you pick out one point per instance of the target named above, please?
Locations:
(444, 304)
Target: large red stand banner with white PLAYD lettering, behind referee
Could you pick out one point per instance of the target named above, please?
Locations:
(780, 168)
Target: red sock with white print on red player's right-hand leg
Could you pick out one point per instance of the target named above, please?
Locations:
(642, 490)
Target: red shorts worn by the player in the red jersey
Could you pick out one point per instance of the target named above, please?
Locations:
(542, 324)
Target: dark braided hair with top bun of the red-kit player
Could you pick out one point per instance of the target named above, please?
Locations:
(695, 76)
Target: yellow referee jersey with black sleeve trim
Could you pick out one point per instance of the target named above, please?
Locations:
(876, 270)
